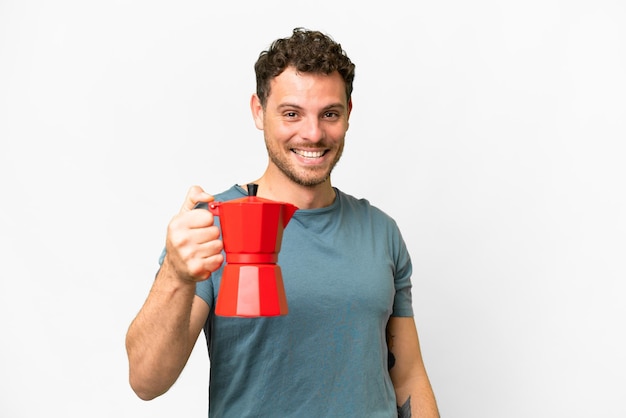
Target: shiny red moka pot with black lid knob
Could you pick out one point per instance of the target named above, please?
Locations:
(252, 232)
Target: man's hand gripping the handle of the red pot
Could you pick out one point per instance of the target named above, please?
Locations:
(193, 247)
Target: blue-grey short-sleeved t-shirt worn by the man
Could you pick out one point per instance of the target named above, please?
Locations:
(346, 270)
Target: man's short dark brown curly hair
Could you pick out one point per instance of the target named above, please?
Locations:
(309, 52)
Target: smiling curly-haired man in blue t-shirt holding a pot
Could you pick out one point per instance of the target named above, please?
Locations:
(349, 345)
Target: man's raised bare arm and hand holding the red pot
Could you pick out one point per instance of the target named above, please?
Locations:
(160, 339)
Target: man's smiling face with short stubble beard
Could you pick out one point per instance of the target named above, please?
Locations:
(304, 122)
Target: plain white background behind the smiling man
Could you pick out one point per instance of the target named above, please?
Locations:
(492, 131)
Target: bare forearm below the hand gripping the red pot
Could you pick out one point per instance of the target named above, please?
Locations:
(159, 340)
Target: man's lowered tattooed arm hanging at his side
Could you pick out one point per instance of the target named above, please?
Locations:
(413, 390)
